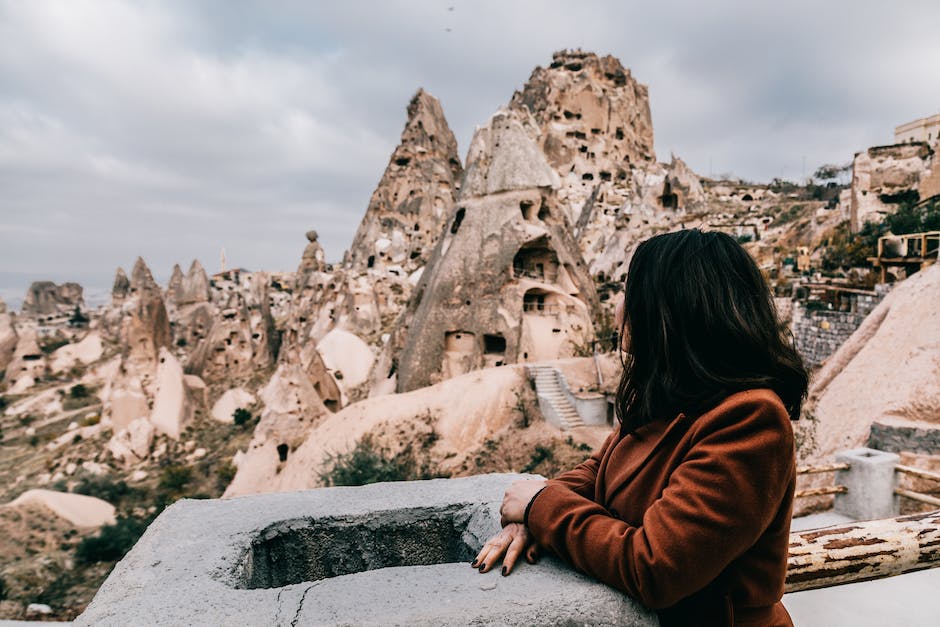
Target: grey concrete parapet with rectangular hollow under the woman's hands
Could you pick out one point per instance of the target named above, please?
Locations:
(391, 553)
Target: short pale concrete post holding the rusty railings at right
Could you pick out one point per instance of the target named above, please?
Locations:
(871, 480)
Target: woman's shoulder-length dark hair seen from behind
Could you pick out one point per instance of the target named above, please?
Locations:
(702, 325)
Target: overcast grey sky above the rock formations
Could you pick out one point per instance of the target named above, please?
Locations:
(173, 129)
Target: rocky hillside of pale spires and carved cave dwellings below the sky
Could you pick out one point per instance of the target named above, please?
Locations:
(407, 358)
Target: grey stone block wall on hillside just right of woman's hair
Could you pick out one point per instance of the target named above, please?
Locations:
(818, 333)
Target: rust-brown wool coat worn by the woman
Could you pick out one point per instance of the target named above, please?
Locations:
(690, 517)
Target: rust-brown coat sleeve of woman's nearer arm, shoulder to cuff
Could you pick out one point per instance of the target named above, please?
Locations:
(717, 503)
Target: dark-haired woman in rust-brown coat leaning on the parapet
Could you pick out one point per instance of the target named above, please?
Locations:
(686, 507)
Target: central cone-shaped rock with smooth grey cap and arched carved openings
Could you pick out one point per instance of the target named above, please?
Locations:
(506, 282)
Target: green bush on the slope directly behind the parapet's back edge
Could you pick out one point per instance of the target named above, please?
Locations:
(369, 463)
